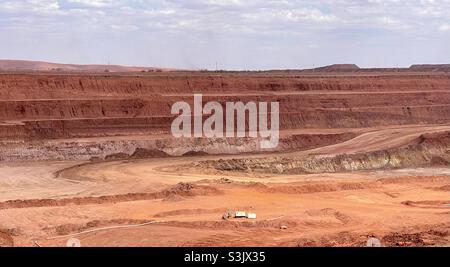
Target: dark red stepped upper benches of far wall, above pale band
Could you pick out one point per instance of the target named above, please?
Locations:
(61, 106)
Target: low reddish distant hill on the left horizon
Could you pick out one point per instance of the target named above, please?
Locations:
(26, 65)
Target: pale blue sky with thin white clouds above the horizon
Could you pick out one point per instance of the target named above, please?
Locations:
(238, 34)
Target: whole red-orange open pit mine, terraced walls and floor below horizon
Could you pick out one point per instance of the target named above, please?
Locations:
(361, 154)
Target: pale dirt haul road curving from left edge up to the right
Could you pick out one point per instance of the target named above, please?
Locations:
(121, 177)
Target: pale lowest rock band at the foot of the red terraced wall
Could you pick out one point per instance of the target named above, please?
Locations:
(116, 149)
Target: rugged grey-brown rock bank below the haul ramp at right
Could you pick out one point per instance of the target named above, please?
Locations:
(427, 150)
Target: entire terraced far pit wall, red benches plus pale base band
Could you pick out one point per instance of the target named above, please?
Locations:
(45, 116)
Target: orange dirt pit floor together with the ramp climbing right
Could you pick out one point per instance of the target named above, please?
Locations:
(322, 209)
